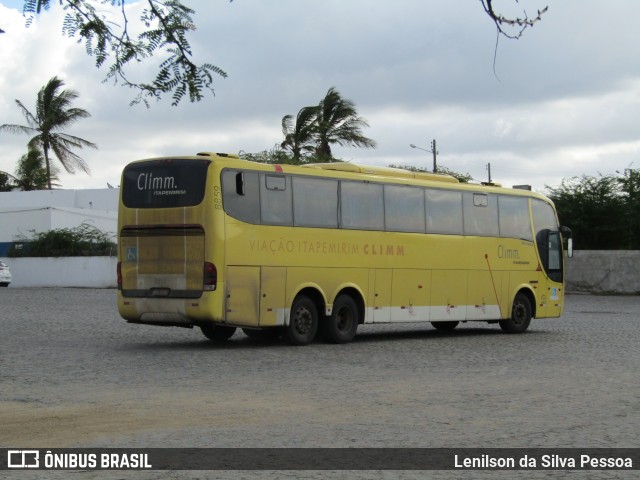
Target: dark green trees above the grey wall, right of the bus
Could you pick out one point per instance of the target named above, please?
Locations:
(602, 211)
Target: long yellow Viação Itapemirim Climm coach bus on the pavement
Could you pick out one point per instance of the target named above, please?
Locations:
(221, 243)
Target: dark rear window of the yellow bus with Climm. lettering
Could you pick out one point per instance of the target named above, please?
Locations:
(164, 183)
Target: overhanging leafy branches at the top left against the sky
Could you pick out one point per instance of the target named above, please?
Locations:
(166, 26)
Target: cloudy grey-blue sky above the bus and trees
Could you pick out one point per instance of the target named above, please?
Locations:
(564, 99)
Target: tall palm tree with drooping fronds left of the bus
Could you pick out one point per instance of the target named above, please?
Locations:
(53, 113)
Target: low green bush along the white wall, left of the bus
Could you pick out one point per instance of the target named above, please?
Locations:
(82, 241)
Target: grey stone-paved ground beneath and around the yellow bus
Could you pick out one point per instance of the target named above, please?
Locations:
(75, 375)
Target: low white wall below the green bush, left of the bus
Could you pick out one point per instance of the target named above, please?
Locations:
(90, 272)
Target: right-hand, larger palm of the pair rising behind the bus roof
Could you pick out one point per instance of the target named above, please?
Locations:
(338, 123)
